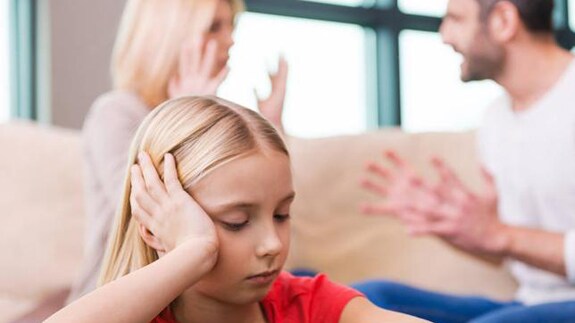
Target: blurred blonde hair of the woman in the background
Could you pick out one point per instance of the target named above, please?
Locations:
(149, 41)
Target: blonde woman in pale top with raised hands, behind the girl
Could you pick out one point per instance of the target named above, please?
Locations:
(164, 49)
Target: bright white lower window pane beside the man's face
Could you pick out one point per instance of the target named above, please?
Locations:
(433, 98)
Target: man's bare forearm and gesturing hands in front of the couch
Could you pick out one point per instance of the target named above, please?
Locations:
(469, 221)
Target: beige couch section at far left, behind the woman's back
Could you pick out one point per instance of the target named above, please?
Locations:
(41, 209)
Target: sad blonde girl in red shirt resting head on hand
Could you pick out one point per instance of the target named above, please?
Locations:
(204, 229)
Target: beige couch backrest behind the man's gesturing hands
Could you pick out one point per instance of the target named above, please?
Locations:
(329, 234)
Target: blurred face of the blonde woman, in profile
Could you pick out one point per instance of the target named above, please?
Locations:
(221, 31)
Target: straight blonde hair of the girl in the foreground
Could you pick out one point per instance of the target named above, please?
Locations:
(202, 133)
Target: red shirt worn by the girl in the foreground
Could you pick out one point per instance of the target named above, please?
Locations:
(297, 300)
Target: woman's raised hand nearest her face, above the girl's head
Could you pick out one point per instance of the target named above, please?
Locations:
(196, 73)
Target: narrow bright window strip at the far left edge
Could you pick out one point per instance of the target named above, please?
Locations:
(4, 66)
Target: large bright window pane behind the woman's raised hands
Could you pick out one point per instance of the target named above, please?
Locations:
(316, 73)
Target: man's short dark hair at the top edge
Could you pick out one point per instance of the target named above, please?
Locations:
(536, 15)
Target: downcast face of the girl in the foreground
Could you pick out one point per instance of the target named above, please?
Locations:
(249, 201)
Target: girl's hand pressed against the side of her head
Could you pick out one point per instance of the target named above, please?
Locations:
(166, 210)
